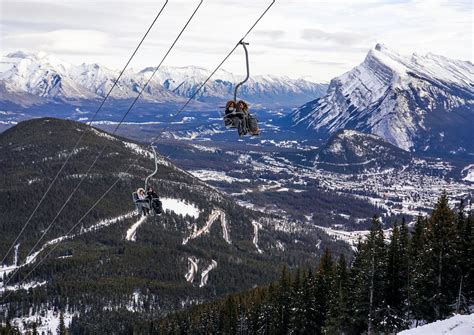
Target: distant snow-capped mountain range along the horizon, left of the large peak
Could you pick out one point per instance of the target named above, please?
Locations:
(46, 76)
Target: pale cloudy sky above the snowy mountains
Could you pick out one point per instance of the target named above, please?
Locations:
(313, 39)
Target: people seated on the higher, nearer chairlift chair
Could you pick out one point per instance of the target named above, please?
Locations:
(237, 116)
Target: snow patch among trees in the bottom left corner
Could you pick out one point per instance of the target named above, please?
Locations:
(47, 324)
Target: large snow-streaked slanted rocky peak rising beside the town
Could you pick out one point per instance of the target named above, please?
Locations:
(418, 103)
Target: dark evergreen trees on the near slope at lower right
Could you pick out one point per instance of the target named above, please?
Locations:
(417, 275)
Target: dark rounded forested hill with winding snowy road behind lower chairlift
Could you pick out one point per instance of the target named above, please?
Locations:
(204, 245)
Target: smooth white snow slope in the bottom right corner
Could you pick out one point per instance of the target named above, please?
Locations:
(456, 325)
